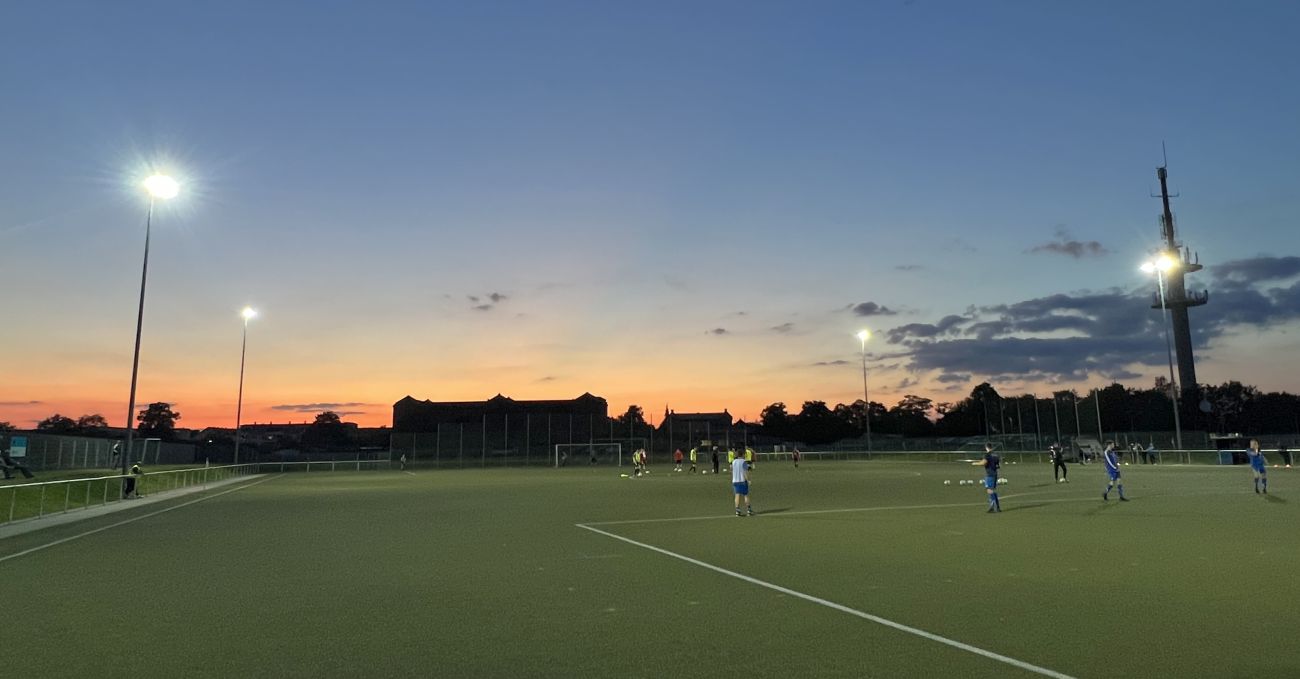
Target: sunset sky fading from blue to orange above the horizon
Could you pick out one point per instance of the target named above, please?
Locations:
(673, 205)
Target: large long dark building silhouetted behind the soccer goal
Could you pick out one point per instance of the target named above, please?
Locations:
(426, 417)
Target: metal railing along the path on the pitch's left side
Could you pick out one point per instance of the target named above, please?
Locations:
(37, 500)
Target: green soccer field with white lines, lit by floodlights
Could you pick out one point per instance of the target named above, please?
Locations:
(851, 569)
